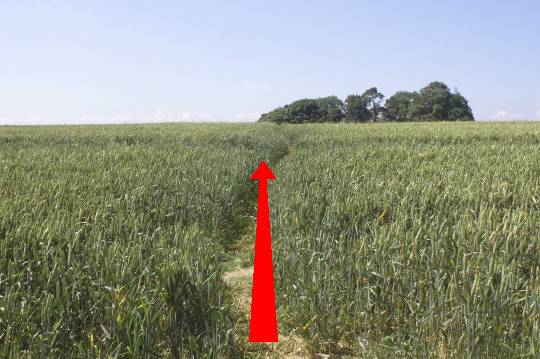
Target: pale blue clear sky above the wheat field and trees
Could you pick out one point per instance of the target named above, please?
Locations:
(149, 61)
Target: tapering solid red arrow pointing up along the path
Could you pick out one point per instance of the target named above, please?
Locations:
(263, 324)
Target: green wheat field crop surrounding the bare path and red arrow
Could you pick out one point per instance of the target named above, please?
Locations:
(389, 240)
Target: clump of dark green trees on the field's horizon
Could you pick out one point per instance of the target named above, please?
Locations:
(435, 102)
